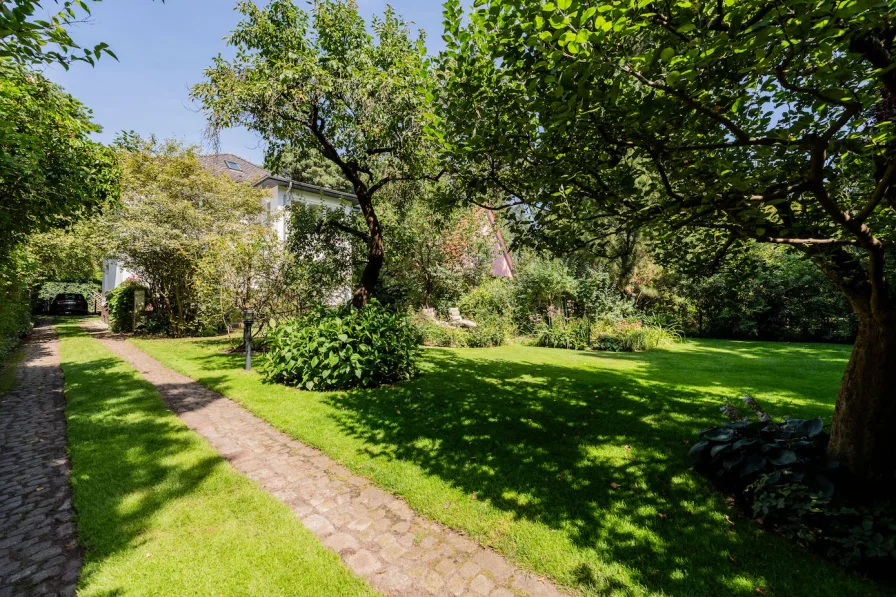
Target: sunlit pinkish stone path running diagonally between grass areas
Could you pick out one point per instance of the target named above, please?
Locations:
(377, 535)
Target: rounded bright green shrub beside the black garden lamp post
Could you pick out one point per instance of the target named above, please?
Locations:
(342, 348)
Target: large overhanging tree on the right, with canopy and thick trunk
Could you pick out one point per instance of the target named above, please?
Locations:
(719, 122)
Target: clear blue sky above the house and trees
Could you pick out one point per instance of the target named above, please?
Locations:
(162, 51)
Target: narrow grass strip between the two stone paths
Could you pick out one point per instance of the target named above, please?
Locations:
(160, 513)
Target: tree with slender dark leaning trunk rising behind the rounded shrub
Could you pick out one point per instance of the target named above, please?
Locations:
(320, 82)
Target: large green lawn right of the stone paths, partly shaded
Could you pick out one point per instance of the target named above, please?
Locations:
(522, 446)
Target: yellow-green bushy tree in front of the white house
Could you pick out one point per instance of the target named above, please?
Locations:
(175, 214)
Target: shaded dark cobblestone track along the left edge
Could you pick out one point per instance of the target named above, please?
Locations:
(39, 553)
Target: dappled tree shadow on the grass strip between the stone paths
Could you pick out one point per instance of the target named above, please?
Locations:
(128, 460)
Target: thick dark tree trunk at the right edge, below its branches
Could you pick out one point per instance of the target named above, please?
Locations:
(863, 433)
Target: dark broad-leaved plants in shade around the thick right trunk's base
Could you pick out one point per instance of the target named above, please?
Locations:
(780, 474)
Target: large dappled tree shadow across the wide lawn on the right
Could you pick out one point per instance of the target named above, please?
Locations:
(598, 455)
